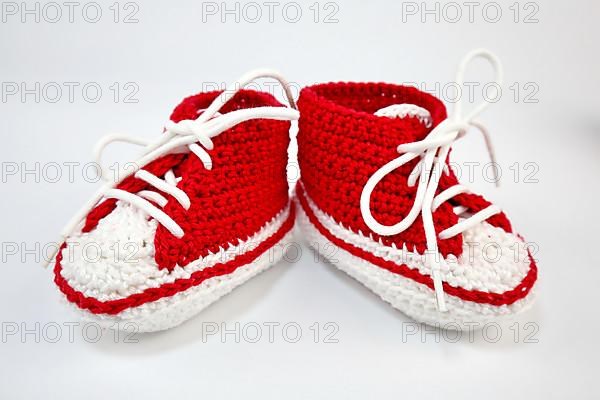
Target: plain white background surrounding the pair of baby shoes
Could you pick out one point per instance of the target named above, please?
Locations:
(175, 50)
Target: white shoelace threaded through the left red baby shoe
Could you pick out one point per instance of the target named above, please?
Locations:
(187, 135)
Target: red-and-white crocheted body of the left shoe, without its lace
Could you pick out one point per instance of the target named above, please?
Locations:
(240, 210)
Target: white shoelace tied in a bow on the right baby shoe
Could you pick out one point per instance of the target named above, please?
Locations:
(433, 150)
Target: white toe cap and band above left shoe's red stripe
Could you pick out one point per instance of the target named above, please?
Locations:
(127, 264)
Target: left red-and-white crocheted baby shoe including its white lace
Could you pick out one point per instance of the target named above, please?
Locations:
(204, 209)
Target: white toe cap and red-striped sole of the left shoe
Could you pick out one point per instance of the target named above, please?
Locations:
(109, 275)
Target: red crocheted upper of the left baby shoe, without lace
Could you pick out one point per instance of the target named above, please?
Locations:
(246, 187)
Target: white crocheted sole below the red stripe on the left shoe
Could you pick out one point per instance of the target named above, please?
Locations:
(171, 311)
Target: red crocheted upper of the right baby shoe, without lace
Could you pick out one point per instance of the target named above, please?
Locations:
(341, 144)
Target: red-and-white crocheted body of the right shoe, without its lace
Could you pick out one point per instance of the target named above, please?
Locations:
(341, 145)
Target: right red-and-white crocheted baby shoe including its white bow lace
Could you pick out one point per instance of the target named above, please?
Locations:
(377, 184)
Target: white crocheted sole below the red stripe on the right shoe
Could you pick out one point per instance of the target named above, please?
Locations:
(412, 298)
